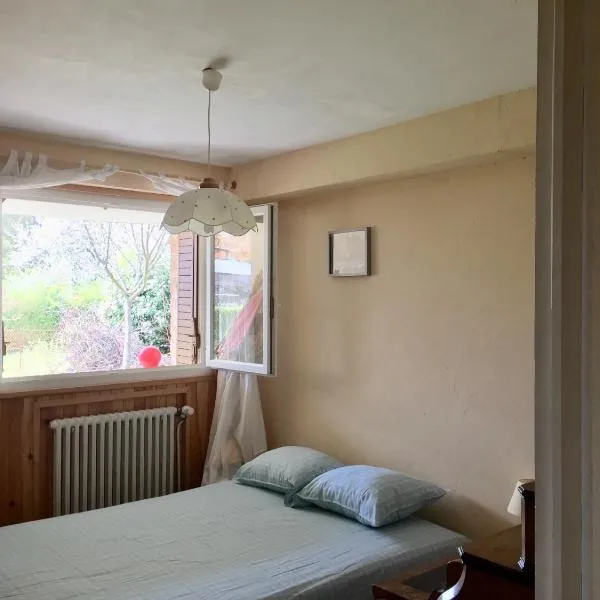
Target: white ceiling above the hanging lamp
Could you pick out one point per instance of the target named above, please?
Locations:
(126, 73)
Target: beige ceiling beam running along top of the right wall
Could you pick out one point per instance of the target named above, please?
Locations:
(471, 134)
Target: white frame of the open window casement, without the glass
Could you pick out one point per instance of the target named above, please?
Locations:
(269, 213)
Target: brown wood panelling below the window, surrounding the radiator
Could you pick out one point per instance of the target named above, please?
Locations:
(26, 439)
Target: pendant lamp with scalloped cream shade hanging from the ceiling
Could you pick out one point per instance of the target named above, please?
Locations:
(209, 209)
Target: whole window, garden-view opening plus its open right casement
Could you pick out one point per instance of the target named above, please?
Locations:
(91, 283)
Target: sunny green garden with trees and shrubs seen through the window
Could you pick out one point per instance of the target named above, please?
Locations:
(82, 295)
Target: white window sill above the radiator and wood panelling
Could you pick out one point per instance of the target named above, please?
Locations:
(43, 383)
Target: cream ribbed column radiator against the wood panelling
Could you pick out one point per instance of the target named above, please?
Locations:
(114, 458)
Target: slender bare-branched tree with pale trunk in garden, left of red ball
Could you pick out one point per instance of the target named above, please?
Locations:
(128, 254)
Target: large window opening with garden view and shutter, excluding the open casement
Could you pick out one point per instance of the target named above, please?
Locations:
(87, 286)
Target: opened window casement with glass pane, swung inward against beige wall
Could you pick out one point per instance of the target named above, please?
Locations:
(240, 302)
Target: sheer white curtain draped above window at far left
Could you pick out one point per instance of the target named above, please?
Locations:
(24, 175)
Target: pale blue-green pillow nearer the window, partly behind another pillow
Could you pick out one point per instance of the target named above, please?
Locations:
(285, 470)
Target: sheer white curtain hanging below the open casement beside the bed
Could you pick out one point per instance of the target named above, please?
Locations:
(237, 433)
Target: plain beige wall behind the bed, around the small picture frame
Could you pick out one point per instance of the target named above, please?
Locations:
(426, 366)
